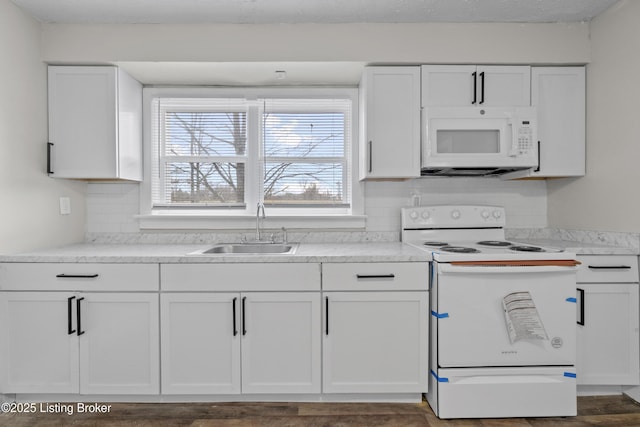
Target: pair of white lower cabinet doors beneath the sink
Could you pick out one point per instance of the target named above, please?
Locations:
(230, 343)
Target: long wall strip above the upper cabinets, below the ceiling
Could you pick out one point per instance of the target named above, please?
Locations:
(391, 43)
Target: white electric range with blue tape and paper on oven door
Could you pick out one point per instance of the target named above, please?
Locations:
(503, 316)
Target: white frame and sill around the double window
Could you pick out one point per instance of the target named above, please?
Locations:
(219, 218)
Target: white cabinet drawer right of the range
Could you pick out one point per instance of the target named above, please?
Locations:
(608, 269)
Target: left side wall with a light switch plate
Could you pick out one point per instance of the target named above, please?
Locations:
(29, 216)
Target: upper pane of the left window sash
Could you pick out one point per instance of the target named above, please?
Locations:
(205, 133)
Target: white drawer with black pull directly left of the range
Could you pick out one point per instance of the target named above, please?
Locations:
(384, 276)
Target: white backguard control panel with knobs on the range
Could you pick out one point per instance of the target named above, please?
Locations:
(452, 216)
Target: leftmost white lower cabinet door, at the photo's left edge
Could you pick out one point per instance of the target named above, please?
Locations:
(37, 352)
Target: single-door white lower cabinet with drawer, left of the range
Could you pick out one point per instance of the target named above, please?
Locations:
(375, 327)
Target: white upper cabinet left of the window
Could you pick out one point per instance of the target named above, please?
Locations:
(95, 124)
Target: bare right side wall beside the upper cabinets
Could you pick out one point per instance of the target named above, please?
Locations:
(607, 198)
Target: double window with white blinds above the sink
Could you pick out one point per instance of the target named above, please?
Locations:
(218, 156)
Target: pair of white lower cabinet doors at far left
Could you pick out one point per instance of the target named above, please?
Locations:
(82, 342)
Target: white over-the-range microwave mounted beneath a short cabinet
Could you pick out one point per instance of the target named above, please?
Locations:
(478, 141)
